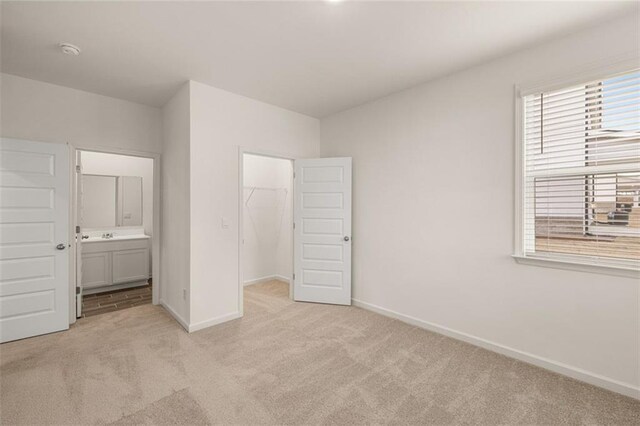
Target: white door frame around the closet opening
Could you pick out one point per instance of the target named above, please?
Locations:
(270, 154)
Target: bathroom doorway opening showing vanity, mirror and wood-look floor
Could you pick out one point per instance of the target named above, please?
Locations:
(116, 240)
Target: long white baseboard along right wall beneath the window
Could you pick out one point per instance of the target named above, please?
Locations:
(548, 364)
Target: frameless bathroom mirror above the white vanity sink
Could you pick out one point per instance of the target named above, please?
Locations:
(111, 201)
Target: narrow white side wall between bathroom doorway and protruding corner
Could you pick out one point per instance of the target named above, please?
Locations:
(175, 230)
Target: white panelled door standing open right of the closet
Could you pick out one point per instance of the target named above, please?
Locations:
(322, 231)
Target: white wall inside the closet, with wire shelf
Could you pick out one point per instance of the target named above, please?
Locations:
(267, 218)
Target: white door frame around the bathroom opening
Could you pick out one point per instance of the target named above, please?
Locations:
(155, 240)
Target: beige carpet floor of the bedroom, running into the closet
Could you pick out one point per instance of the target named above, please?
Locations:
(283, 363)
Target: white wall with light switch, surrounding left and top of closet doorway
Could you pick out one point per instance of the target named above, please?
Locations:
(221, 122)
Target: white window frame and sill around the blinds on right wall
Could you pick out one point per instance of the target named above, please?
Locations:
(622, 64)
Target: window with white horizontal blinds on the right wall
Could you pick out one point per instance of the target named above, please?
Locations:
(581, 173)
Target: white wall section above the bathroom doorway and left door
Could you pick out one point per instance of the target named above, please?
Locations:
(46, 112)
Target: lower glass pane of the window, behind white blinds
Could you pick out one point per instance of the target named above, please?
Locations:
(595, 215)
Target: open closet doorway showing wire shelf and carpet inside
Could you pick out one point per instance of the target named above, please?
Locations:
(266, 231)
